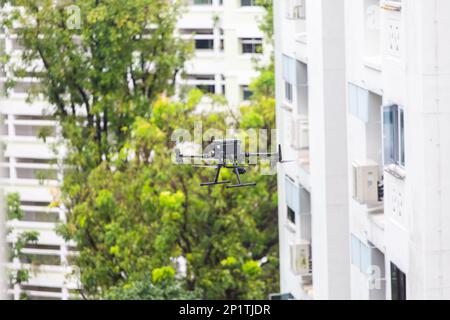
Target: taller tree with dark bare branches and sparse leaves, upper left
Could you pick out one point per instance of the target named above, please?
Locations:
(101, 65)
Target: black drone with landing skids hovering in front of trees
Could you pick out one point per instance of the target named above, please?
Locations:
(227, 154)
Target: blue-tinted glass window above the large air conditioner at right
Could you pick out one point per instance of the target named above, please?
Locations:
(394, 135)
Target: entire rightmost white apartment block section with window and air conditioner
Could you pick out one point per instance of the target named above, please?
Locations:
(399, 59)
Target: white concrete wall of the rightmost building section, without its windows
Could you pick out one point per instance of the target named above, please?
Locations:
(413, 232)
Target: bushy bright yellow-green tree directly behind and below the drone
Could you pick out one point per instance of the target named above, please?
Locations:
(140, 214)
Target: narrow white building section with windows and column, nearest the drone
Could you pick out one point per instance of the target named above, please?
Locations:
(313, 201)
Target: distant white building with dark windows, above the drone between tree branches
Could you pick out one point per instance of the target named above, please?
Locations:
(228, 42)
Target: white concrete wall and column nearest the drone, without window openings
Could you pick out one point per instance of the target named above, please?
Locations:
(319, 41)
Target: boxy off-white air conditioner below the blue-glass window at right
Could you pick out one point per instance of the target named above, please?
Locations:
(365, 182)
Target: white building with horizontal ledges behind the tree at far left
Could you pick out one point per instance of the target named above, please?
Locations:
(30, 169)
